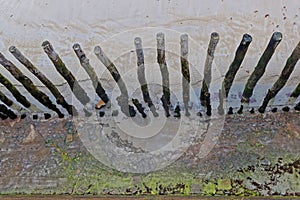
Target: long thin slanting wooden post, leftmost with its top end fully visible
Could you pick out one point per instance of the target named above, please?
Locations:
(59, 98)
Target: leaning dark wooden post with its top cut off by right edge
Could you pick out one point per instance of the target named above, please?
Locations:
(284, 76)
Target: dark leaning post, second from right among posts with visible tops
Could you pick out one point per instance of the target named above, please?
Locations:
(236, 63)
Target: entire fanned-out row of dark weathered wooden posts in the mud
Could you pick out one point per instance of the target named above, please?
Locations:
(123, 100)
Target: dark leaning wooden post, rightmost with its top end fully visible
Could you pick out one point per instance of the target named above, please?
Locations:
(261, 66)
